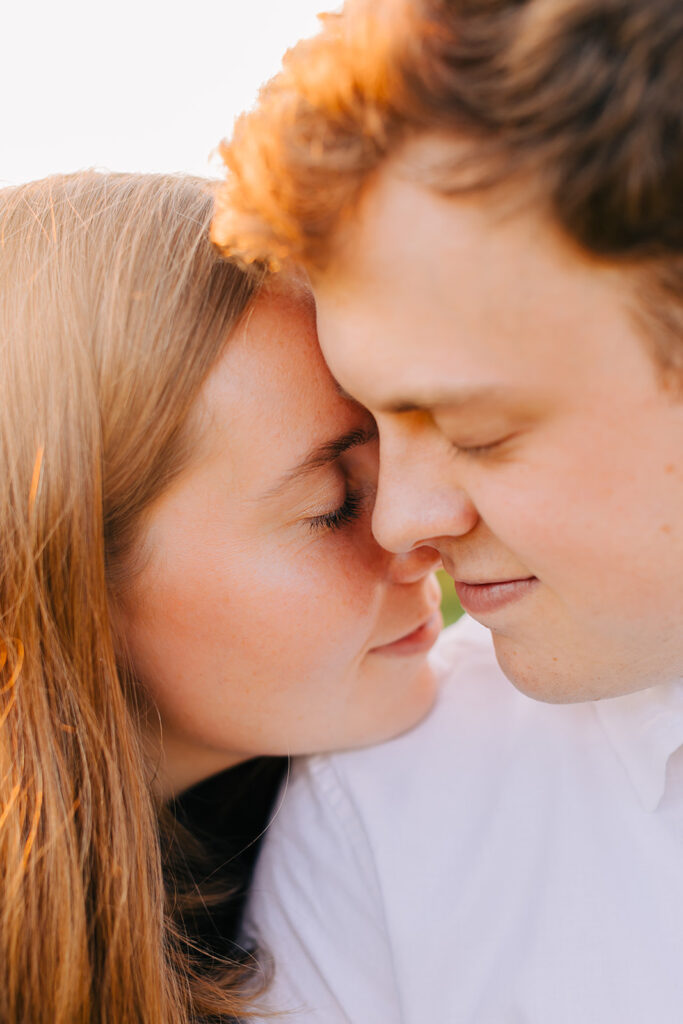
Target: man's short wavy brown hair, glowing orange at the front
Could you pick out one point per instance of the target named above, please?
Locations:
(582, 97)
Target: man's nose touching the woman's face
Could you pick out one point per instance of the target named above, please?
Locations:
(419, 501)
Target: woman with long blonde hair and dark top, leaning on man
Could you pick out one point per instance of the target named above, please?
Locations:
(188, 581)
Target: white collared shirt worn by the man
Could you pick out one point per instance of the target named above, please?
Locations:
(506, 863)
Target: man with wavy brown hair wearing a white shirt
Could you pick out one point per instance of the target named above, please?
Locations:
(489, 199)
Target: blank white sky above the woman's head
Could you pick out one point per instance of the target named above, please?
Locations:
(139, 87)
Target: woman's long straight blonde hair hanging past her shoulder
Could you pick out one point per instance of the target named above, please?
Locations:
(114, 307)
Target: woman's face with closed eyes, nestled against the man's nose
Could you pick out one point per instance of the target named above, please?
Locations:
(266, 619)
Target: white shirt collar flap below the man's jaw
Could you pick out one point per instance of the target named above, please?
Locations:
(646, 729)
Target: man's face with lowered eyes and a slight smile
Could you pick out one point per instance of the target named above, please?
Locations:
(525, 434)
